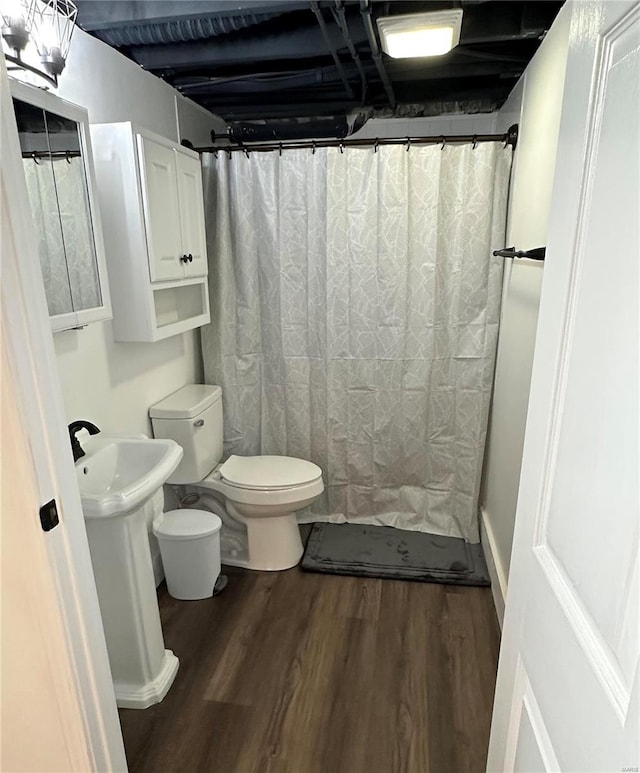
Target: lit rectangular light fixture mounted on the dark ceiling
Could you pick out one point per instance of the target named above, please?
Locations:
(420, 34)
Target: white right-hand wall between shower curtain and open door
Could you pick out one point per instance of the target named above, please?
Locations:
(535, 104)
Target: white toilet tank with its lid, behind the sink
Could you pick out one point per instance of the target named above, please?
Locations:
(192, 417)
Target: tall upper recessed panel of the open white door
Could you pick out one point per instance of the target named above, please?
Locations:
(601, 416)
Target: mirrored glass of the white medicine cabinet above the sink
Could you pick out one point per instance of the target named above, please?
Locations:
(57, 184)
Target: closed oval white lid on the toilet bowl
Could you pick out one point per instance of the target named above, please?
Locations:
(269, 471)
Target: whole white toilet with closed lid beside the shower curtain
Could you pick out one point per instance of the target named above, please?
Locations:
(261, 492)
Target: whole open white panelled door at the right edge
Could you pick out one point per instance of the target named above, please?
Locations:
(567, 691)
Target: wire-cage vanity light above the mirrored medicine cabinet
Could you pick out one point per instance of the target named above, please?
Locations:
(49, 24)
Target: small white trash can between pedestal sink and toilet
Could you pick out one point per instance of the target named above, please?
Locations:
(190, 549)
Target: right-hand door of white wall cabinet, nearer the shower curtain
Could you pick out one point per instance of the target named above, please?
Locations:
(191, 214)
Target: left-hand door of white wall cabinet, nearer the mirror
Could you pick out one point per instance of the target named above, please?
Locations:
(161, 210)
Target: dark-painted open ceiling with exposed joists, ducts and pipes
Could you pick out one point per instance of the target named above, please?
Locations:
(299, 68)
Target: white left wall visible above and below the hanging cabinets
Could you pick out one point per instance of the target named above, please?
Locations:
(111, 383)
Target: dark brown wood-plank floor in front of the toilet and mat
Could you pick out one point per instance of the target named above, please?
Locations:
(290, 672)
